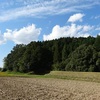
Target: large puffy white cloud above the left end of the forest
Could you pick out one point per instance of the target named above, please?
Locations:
(25, 35)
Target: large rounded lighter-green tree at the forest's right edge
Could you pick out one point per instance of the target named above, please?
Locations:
(83, 59)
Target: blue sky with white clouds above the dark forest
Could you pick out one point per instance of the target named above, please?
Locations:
(23, 21)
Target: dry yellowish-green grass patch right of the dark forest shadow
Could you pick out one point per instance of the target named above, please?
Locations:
(82, 76)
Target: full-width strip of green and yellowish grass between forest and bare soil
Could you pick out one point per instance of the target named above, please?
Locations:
(81, 76)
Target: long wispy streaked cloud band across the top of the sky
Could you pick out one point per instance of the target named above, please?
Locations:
(41, 8)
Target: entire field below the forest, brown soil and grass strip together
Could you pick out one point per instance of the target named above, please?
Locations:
(53, 86)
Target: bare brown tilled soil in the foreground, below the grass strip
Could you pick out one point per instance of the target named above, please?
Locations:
(15, 88)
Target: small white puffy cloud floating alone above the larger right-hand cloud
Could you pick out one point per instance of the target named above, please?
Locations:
(76, 17)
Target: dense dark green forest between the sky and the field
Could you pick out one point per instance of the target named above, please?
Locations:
(64, 54)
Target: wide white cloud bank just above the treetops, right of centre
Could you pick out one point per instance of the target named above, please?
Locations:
(69, 31)
